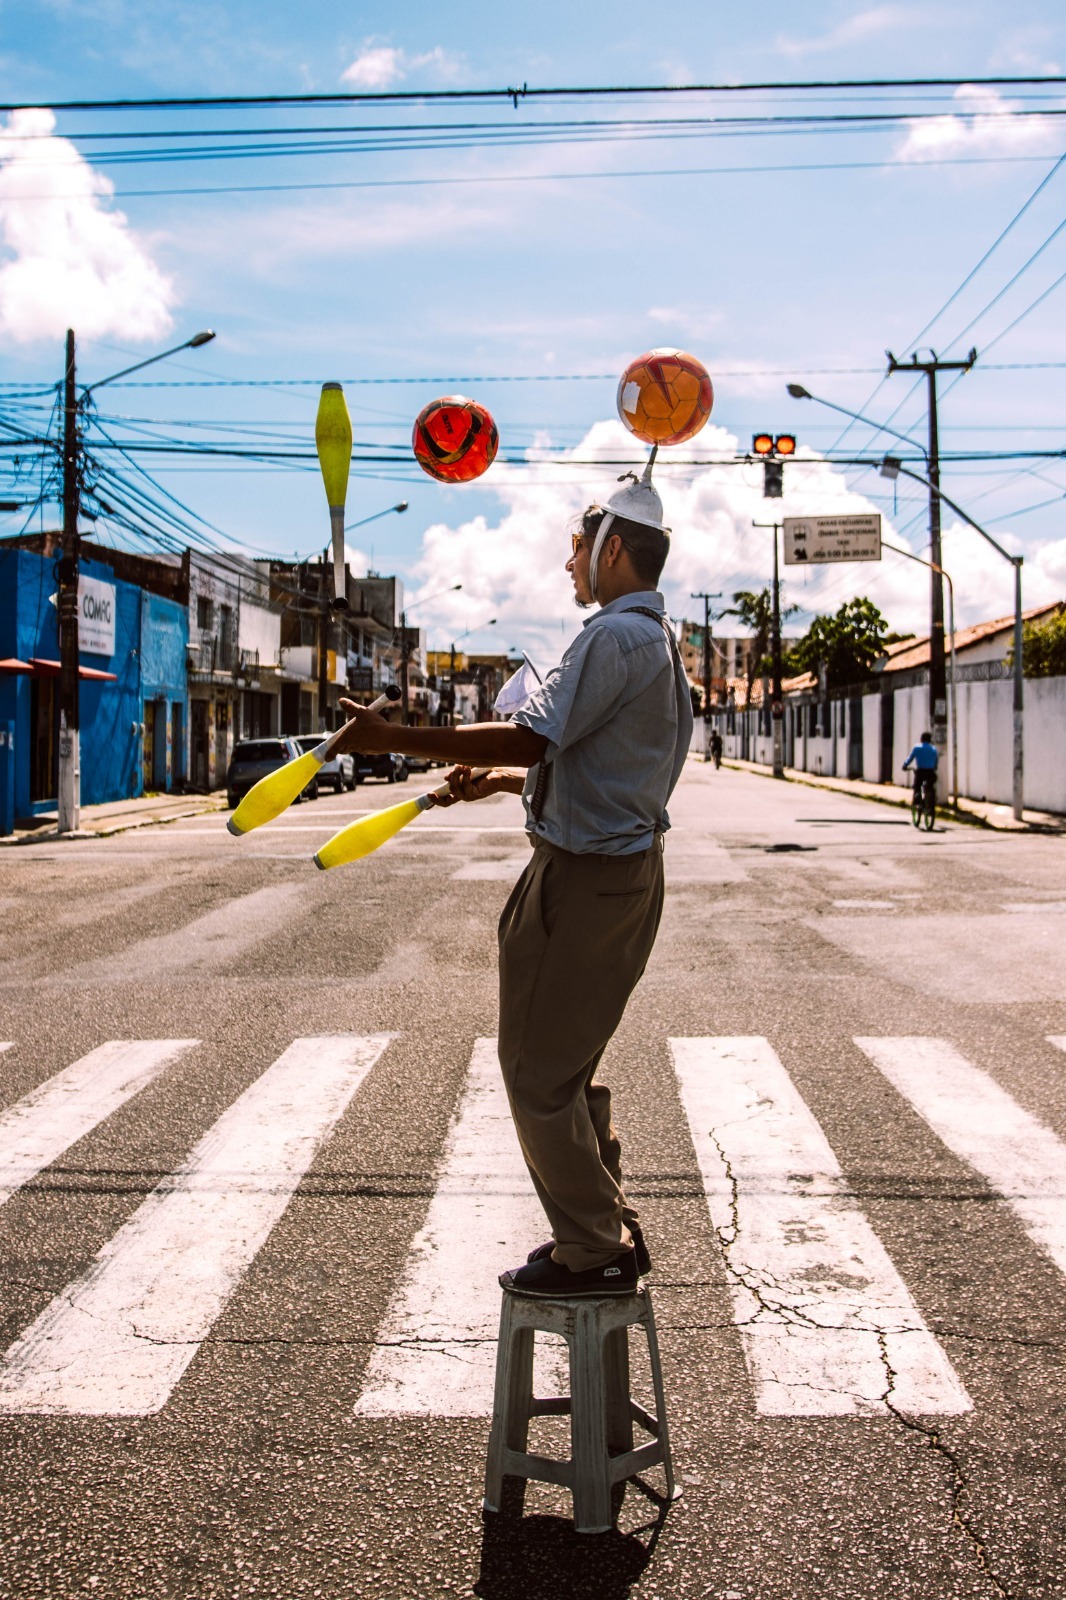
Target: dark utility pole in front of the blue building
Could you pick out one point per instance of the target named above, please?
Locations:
(70, 774)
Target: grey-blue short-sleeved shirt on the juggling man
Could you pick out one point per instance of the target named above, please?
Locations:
(617, 716)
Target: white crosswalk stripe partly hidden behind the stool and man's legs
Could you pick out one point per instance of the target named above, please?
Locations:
(436, 1350)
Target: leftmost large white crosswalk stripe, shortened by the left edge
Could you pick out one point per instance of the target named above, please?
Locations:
(55, 1116)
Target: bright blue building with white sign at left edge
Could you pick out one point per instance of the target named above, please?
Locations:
(134, 697)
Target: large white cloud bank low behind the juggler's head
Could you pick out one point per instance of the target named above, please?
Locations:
(515, 567)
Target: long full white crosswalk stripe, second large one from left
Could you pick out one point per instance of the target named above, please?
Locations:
(116, 1342)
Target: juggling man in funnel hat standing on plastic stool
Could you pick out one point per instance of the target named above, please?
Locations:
(596, 754)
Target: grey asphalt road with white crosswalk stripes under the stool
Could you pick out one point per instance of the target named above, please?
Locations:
(246, 1281)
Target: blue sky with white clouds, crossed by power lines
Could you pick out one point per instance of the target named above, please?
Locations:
(550, 263)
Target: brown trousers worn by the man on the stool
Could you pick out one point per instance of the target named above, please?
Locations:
(575, 938)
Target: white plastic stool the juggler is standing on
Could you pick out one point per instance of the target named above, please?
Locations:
(599, 1406)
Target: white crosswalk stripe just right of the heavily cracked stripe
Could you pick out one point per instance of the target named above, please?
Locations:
(1016, 1153)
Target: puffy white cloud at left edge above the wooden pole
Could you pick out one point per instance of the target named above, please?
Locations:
(65, 260)
